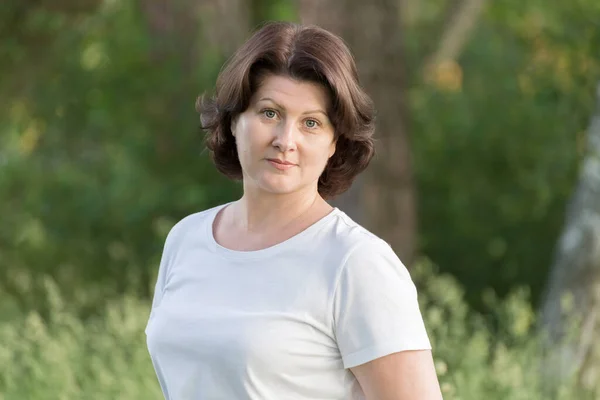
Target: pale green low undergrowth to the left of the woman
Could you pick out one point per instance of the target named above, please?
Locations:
(65, 358)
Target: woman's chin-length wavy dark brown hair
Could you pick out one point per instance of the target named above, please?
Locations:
(306, 53)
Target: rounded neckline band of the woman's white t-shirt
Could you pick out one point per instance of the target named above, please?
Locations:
(267, 251)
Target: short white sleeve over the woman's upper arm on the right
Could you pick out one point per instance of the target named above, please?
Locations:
(375, 306)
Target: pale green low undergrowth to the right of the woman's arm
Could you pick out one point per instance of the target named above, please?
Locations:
(497, 355)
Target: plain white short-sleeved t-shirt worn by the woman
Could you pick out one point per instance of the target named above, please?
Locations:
(285, 322)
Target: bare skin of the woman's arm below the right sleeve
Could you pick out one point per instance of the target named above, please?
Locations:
(406, 375)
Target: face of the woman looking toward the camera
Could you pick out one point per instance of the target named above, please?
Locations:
(284, 139)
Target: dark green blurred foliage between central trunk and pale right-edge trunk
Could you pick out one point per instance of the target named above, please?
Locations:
(497, 138)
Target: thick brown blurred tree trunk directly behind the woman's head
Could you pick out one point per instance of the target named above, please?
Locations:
(385, 195)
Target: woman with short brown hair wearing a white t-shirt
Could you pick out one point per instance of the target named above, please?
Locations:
(278, 295)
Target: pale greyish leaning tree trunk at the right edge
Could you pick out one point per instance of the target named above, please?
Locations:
(575, 276)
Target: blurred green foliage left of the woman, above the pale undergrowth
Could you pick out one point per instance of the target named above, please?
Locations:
(100, 156)
